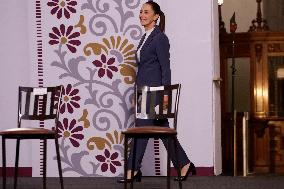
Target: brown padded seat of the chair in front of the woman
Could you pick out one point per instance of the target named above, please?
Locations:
(150, 130)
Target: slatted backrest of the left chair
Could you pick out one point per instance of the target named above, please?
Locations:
(39, 103)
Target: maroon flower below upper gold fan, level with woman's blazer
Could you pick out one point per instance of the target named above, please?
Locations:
(105, 66)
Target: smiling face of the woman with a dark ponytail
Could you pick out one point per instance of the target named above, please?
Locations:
(147, 16)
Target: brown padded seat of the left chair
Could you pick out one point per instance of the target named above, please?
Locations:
(27, 131)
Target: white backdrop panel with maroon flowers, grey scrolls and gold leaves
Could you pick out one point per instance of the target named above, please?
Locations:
(89, 47)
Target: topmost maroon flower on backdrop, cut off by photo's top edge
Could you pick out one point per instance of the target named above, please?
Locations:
(60, 7)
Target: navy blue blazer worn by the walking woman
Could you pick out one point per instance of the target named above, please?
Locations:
(154, 65)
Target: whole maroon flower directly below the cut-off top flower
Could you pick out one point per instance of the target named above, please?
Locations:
(65, 37)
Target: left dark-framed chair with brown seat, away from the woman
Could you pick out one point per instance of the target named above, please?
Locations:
(35, 104)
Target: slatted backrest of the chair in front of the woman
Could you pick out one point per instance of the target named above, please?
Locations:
(149, 102)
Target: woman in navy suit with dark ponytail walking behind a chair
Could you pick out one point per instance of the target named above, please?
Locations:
(153, 59)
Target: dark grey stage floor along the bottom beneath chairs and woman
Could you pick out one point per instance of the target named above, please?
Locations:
(197, 182)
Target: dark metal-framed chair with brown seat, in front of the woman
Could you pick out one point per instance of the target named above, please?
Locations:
(149, 104)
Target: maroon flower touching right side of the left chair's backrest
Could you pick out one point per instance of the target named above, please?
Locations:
(69, 99)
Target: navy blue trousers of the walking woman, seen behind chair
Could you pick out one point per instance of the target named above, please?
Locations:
(141, 144)
